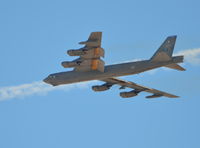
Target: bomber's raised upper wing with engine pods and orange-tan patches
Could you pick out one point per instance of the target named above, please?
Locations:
(89, 55)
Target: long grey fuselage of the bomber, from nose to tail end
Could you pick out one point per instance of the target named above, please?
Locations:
(115, 70)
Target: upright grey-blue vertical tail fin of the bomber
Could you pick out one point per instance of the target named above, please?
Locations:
(164, 53)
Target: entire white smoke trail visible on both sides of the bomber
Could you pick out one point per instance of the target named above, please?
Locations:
(192, 56)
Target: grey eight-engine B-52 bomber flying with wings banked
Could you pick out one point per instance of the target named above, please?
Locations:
(90, 66)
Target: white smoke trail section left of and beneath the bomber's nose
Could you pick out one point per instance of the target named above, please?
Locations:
(39, 88)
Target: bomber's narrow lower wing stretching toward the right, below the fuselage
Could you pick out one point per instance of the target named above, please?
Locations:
(137, 88)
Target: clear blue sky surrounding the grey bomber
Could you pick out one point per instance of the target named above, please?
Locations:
(35, 36)
